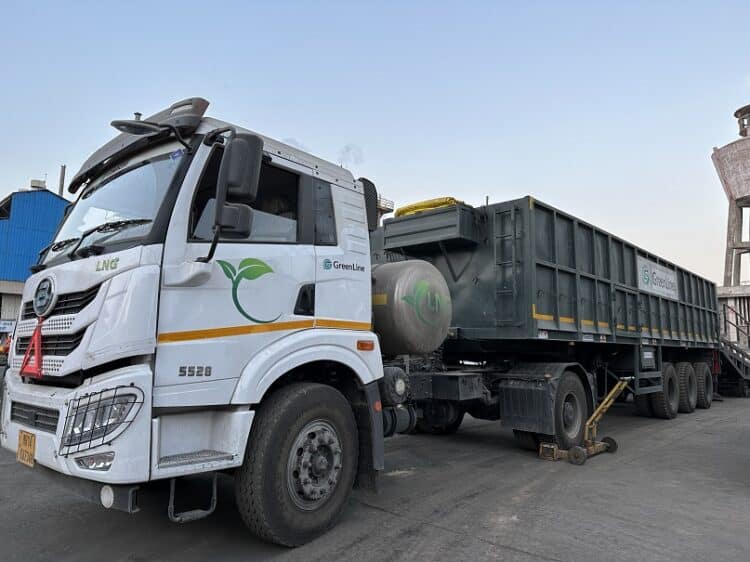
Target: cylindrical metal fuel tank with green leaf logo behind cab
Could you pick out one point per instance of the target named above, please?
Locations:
(411, 307)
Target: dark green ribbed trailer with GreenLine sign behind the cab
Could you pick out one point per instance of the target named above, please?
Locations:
(547, 307)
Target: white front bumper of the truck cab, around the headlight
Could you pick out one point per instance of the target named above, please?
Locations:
(131, 447)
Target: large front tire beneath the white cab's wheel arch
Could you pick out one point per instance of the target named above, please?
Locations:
(270, 485)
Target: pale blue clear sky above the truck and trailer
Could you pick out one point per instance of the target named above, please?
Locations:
(606, 109)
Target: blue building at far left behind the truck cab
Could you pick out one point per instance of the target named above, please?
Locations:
(28, 221)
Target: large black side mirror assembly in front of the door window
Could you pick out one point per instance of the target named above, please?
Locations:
(239, 175)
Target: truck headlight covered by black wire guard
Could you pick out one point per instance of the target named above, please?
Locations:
(95, 419)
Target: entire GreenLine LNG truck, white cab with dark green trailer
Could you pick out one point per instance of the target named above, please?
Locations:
(217, 301)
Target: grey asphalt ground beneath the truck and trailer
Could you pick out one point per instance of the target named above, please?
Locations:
(676, 490)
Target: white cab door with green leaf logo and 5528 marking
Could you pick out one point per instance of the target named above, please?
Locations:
(258, 291)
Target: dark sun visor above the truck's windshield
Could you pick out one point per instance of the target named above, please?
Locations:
(184, 115)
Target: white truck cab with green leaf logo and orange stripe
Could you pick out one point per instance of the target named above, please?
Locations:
(205, 305)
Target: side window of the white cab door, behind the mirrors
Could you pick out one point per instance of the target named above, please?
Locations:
(275, 209)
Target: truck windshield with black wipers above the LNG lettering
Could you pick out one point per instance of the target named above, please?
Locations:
(131, 195)
